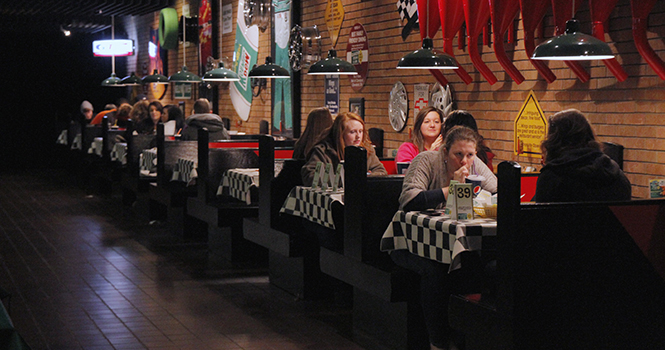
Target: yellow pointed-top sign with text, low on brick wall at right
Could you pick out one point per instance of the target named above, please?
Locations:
(530, 128)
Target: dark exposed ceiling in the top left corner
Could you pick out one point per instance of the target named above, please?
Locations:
(87, 16)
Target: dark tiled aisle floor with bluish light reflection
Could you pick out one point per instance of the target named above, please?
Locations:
(86, 274)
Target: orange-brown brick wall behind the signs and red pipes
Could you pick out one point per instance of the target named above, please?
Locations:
(628, 113)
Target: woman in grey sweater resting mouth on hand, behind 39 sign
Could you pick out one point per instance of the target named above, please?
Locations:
(427, 179)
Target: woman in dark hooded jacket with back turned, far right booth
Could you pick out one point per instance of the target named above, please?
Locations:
(576, 169)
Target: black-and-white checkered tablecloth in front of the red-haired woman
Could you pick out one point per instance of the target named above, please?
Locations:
(314, 205)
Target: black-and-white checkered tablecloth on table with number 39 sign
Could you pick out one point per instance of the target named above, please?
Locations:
(438, 237)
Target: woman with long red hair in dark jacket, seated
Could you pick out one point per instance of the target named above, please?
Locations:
(348, 129)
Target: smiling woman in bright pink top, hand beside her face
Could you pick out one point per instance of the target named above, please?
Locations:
(426, 135)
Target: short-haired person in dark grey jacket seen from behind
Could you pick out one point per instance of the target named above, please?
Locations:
(204, 118)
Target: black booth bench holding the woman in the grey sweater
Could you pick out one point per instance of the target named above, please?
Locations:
(385, 296)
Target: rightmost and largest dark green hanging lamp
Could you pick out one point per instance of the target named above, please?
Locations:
(573, 45)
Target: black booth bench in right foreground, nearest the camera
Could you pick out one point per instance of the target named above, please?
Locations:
(570, 276)
